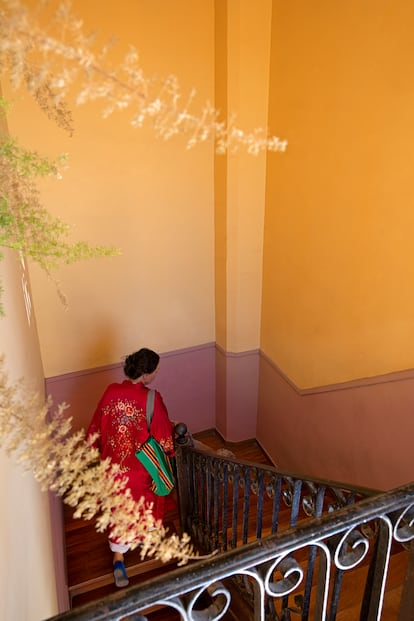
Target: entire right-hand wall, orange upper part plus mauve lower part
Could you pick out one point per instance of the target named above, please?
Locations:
(337, 331)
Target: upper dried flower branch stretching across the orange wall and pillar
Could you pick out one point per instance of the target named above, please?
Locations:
(69, 63)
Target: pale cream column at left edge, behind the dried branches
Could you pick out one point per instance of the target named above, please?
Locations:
(27, 571)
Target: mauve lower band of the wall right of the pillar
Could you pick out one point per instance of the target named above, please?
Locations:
(359, 432)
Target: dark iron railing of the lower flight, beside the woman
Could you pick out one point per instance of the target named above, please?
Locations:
(226, 502)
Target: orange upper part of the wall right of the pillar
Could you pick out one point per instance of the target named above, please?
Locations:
(338, 301)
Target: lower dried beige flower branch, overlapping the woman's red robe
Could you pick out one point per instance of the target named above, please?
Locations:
(68, 465)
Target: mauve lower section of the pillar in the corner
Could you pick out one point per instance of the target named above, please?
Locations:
(237, 379)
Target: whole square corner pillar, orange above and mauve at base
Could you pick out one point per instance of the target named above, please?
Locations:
(242, 80)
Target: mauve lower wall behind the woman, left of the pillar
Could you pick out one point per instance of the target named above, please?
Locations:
(186, 381)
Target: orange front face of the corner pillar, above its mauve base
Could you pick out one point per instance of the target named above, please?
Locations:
(247, 87)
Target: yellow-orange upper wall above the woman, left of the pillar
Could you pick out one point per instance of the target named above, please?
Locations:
(151, 198)
